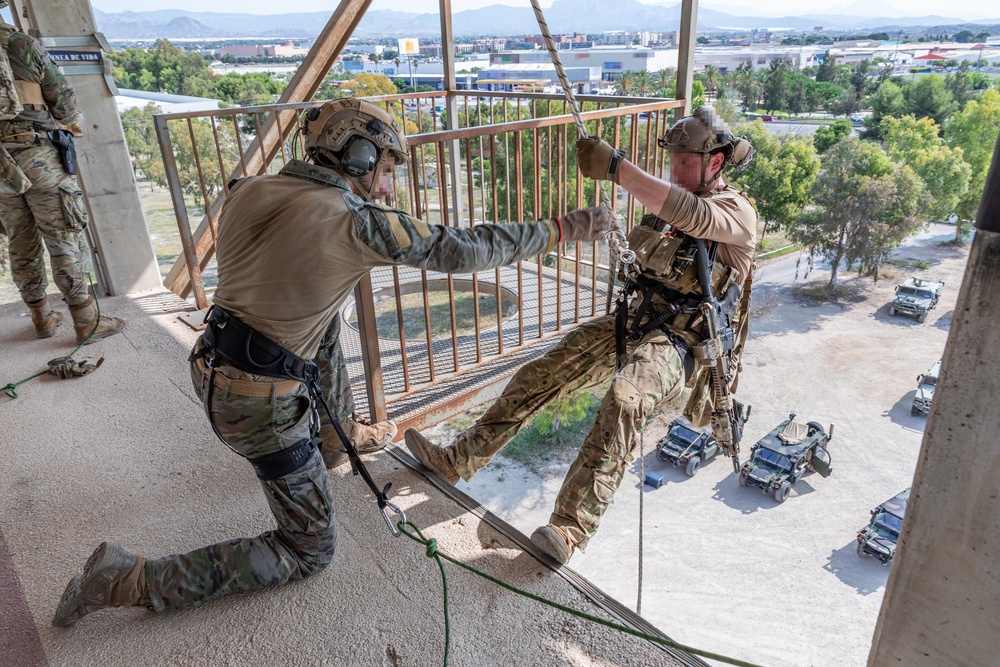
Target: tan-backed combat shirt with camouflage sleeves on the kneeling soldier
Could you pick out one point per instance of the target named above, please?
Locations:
(292, 247)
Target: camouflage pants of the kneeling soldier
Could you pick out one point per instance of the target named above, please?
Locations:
(306, 536)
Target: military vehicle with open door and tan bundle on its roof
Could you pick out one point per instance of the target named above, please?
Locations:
(784, 455)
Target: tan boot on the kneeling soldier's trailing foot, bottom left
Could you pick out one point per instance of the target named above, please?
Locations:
(112, 577)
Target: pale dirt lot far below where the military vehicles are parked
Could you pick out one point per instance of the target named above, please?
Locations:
(728, 569)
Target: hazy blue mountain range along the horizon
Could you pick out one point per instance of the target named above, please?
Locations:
(564, 16)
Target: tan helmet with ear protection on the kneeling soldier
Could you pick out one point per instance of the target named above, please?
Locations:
(354, 137)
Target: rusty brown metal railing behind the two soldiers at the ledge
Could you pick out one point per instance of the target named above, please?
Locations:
(427, 345)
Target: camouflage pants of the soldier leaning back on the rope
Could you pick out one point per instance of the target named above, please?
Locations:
(584, 358)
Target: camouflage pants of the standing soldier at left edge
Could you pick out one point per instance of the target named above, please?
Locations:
(50, 214)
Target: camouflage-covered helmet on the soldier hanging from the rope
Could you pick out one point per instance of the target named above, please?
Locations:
(706, 133)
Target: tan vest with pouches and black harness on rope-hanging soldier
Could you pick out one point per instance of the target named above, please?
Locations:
(667, 291)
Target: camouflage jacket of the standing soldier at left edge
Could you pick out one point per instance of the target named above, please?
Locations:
(31, 62)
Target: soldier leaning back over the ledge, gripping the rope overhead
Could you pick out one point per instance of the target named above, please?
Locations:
(653, 347)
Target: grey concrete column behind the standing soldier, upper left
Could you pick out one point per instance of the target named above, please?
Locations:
(118, 233)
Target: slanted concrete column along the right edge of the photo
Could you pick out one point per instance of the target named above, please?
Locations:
(942, 602)
